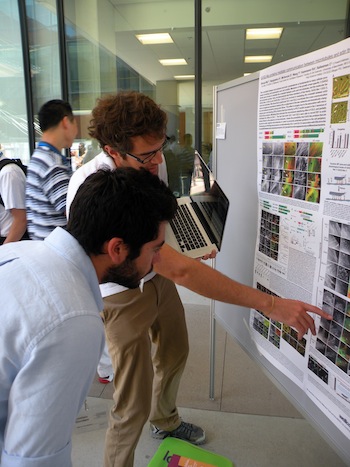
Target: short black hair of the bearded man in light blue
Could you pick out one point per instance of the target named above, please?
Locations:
(125, 203)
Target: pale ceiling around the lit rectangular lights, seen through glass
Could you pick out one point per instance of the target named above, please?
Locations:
(308, 25)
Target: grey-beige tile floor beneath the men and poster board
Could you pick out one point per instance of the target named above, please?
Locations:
(249, 421)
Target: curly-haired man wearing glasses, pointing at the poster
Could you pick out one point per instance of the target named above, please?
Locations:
(131, 130)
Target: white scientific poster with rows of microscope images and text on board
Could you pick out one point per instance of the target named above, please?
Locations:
(303, 241)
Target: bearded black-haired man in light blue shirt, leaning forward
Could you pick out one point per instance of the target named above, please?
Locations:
(51, 333)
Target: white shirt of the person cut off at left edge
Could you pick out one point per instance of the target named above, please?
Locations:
(12, 191)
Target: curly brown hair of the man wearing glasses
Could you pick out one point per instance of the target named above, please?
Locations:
(117, 118)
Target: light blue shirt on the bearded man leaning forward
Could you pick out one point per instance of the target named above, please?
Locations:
(51, 339)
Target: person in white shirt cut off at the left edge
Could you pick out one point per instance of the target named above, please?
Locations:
(13, 219)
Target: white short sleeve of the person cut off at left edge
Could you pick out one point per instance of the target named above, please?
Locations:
(13, 187)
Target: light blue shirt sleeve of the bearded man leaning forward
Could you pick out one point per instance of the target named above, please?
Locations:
(48, 392)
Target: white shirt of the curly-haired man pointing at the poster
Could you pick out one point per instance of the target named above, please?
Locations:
(100, 161)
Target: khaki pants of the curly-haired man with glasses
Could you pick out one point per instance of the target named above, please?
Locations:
(133, 319)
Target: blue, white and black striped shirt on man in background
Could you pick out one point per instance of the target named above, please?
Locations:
(46, 190)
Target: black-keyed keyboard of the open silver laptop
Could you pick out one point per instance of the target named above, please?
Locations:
(186, 231)
